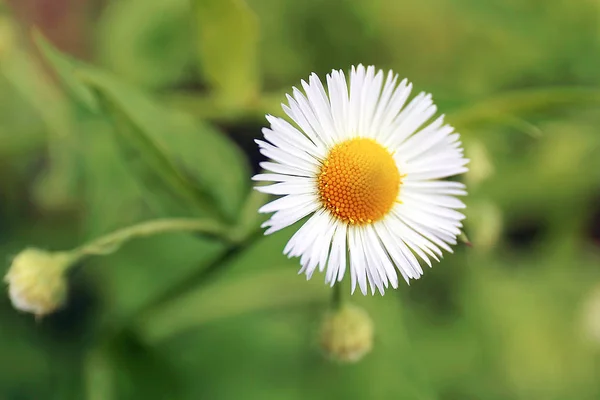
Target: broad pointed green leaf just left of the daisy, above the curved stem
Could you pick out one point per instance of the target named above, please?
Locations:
(174, 155)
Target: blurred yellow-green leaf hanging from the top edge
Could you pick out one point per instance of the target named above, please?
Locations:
(227, 38)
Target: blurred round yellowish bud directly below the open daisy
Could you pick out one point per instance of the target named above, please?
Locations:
(347, 334)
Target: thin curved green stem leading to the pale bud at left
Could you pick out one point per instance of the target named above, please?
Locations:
(113, 241)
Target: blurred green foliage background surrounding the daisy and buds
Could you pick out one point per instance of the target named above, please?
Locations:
(177, 316)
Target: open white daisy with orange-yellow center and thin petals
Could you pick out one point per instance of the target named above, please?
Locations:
(367, 170)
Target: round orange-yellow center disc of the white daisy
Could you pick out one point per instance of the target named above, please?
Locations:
(359, 181)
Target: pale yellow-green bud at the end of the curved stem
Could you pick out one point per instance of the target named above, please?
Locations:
(36, 281)
